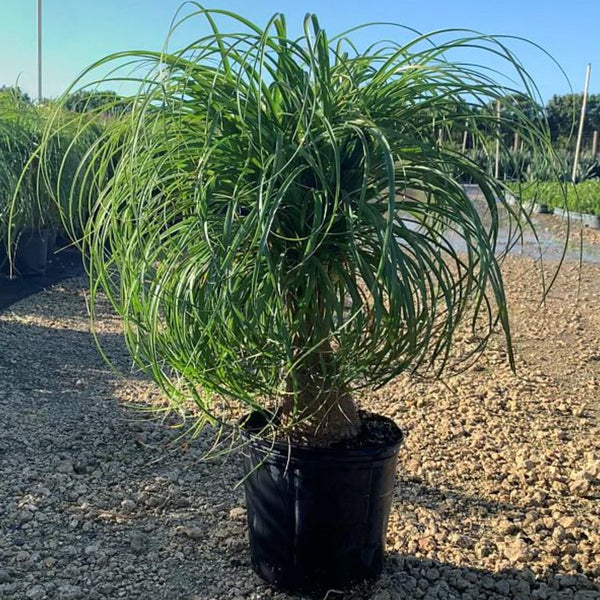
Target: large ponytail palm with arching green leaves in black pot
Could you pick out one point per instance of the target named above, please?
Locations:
(276, 232)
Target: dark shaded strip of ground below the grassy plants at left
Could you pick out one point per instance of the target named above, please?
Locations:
(63, 264)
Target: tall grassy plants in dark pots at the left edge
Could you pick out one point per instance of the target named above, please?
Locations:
(31, 216)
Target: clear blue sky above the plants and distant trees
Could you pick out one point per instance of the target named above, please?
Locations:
(78, 32)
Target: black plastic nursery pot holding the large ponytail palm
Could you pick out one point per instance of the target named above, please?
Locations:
(317, 517)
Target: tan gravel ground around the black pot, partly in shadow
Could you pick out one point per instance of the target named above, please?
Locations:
(498, 482)
